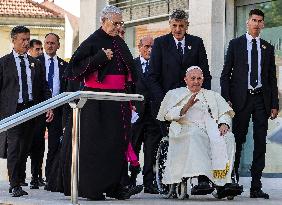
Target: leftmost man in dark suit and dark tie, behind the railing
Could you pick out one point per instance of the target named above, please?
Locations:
(22, 84)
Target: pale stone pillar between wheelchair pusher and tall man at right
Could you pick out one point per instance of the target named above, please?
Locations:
(209, 21)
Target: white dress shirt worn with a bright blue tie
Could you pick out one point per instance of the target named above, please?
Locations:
(56, 78)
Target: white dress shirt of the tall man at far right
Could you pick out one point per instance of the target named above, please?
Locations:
(249, 48)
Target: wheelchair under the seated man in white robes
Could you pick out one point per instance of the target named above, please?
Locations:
(180, 190)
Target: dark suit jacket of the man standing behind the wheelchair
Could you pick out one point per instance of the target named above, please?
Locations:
(167, 68)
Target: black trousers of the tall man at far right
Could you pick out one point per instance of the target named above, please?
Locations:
(254, 108)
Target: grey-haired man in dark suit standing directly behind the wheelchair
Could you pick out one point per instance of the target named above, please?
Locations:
(171, 55)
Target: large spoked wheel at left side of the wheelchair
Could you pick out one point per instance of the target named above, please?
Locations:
(165, 190)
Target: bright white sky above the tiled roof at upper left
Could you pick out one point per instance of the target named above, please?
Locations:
(72, 6)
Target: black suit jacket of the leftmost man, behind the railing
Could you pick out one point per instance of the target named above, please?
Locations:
(9, 89)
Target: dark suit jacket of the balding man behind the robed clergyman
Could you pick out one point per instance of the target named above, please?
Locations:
(142, 87)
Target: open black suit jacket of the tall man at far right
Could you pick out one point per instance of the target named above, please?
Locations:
(234, 76)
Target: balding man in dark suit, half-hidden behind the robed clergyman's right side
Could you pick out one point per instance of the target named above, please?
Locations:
(146, 129)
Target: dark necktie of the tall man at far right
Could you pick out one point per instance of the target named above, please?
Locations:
(254, 64)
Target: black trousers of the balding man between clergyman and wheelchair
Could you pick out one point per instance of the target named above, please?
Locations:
(147, 131)
